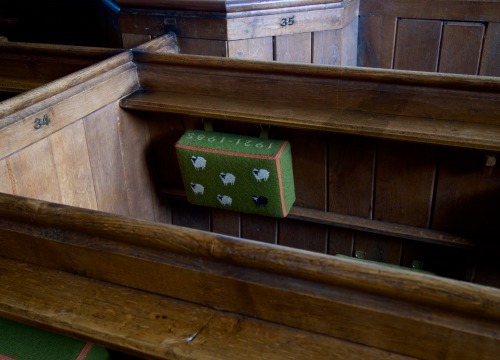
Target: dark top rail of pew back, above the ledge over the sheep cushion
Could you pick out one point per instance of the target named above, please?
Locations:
(408, 93)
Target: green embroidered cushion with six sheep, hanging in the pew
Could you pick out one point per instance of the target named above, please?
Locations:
(235, 172)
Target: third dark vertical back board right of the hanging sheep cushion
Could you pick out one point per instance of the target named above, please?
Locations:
(404, 183)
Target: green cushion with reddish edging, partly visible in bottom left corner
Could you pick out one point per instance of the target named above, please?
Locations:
(22, 342)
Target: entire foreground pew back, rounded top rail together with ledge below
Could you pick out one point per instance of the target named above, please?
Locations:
(345, 300)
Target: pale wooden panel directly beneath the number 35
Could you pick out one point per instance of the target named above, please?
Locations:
(293, 48)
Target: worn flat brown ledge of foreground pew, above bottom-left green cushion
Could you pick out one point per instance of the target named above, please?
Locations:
(169, 328)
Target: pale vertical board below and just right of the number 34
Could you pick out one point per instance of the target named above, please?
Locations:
(72, 162)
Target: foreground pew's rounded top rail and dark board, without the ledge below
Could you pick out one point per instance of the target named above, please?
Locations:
(257, 279)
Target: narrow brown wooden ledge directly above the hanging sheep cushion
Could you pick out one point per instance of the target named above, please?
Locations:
(406, 128)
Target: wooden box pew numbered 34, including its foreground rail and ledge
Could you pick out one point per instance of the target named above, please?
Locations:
(102, 212)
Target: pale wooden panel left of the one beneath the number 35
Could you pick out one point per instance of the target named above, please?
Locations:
(256, 49)
